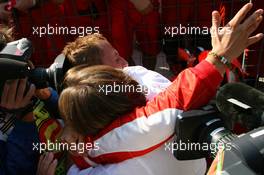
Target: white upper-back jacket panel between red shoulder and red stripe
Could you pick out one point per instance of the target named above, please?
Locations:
(148, 132)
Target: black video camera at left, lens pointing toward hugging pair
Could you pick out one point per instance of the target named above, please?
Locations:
(15, 64)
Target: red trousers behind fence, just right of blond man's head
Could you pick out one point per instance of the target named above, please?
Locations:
(125, 20)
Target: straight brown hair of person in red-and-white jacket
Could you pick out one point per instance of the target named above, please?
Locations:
(87, 109)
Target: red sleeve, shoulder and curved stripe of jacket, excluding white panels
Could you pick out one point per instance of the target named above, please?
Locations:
(193, 88)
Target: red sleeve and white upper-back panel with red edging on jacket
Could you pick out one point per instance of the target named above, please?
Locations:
(149, 127)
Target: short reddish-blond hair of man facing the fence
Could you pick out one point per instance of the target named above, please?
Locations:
(85, 50)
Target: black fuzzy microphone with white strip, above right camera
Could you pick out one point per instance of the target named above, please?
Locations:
(242, 104)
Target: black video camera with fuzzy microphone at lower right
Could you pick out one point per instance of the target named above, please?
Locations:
(204, 132)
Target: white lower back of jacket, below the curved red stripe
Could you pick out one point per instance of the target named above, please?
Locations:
(158, 162)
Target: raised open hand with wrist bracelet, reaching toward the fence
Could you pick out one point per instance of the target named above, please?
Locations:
(231, 41)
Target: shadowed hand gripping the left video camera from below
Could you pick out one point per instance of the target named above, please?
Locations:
(13, 94)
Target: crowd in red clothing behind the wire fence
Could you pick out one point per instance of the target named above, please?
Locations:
(127, 25)
